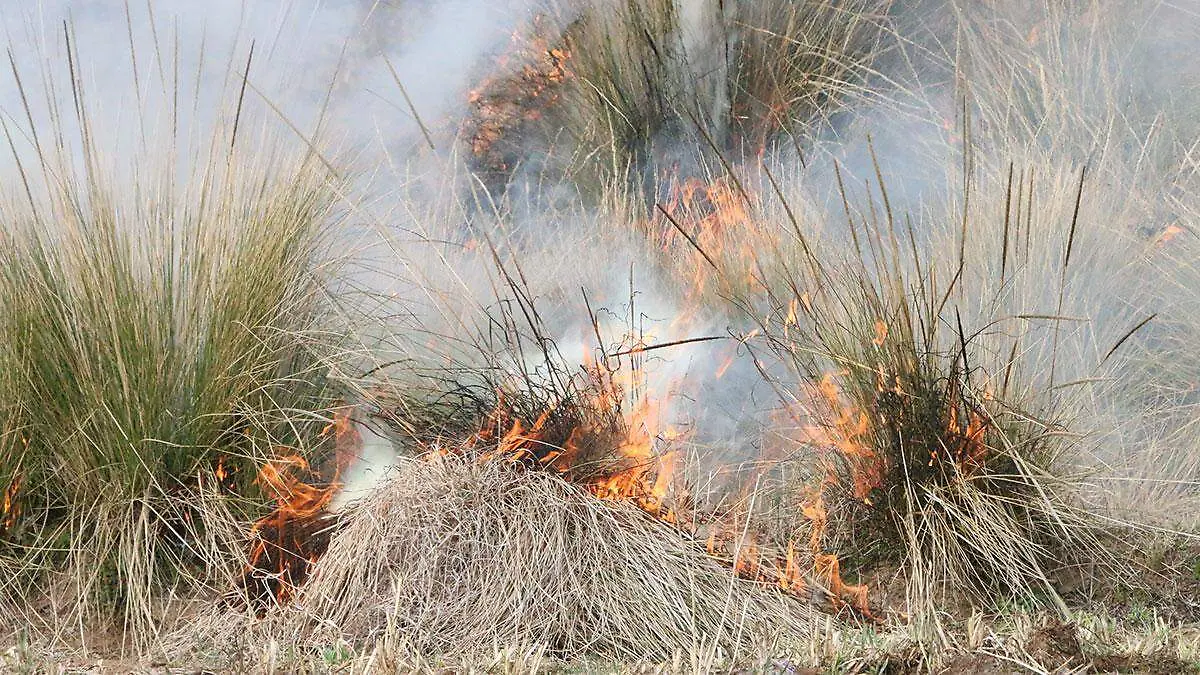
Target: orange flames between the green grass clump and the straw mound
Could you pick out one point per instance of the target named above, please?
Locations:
(287, 541)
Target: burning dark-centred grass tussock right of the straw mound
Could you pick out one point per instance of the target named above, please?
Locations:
(967, 477)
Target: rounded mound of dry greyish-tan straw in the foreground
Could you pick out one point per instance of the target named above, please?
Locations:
(455, 558)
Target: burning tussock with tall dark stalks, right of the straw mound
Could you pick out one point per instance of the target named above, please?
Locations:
(934, 451)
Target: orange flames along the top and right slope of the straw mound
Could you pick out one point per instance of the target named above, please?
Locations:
(640, 462)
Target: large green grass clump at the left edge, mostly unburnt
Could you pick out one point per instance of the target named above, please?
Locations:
(157, 343)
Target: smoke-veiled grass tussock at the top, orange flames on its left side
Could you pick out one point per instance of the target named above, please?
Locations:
(601, 87)
